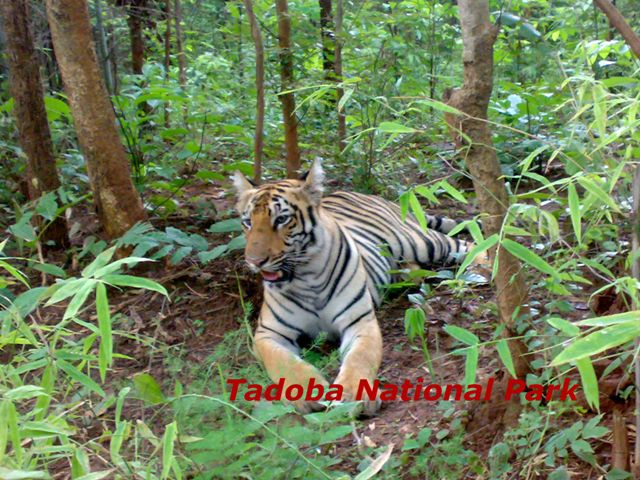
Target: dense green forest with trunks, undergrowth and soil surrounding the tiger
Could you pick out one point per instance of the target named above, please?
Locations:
(120, 123)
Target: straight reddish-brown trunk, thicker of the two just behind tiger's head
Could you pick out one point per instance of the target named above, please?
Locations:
(287, 99)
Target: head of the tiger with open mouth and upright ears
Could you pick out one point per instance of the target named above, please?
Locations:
(280, 222)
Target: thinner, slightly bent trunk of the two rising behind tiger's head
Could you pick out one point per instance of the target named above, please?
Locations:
(259, 135)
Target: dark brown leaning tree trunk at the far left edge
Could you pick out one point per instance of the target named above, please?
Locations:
(30, 112)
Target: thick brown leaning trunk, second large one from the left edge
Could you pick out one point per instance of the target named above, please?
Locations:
(118, 204)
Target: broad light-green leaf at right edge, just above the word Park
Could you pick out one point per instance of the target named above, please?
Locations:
(596, 342)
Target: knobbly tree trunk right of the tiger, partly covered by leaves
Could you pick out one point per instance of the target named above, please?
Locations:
(478, 37)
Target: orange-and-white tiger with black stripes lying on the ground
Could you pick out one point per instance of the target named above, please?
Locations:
(322, 260)
